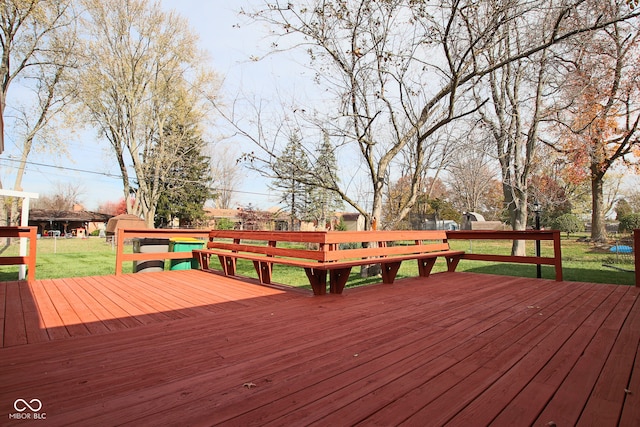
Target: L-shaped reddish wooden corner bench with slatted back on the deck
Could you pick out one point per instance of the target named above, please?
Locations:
(331, 253)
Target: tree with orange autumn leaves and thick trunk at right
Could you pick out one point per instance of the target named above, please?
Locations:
(599, 127)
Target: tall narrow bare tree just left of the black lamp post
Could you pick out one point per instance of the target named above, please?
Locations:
(514, 113)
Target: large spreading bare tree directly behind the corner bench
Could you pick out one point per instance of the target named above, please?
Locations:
(398, 72)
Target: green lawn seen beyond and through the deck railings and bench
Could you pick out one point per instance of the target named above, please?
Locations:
(582, 262)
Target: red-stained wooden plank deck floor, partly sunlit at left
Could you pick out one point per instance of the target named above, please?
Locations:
(193, 348)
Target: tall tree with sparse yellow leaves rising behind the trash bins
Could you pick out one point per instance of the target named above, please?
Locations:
(142, 82)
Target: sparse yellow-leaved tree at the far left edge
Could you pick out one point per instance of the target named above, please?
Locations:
(38, 40)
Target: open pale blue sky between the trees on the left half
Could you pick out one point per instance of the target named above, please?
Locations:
(88, 162)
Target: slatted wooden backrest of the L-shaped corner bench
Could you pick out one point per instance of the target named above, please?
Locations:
(326, 246)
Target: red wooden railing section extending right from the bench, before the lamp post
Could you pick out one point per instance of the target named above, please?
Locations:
(553, 235)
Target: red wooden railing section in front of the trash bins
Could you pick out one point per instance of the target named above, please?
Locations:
(125, 234)
